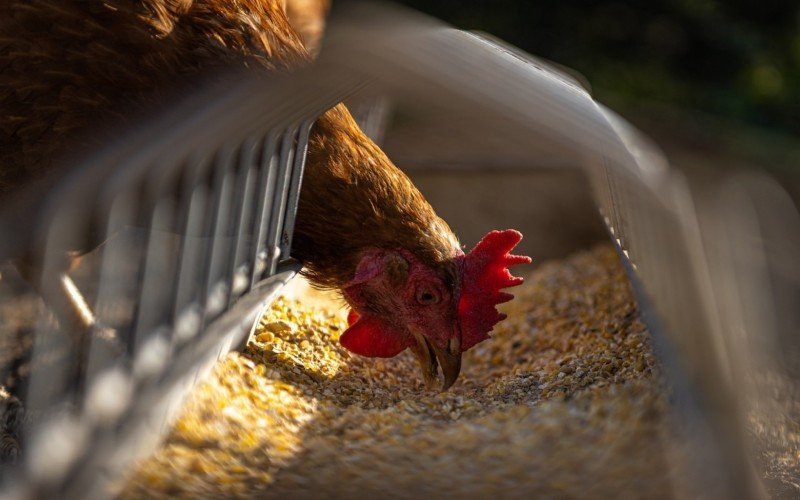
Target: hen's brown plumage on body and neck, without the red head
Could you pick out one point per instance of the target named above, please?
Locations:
(67, 65)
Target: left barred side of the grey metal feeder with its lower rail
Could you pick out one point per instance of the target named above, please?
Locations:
(194, 241)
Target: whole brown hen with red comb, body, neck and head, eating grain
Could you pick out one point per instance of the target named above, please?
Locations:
(362, 227)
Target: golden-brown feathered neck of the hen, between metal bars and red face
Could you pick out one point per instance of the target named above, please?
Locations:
(353, 198)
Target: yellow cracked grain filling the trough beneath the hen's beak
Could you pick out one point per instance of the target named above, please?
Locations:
(565, 400)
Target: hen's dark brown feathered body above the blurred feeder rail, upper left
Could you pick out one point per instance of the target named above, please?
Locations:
(72, 69)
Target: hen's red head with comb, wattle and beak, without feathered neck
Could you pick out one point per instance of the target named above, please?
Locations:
(437, 311)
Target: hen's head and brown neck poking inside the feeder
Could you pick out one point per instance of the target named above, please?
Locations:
(398, 265)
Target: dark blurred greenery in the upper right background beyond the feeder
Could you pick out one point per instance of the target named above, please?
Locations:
(735, 61)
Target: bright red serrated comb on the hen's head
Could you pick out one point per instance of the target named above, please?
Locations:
(484, 273)
